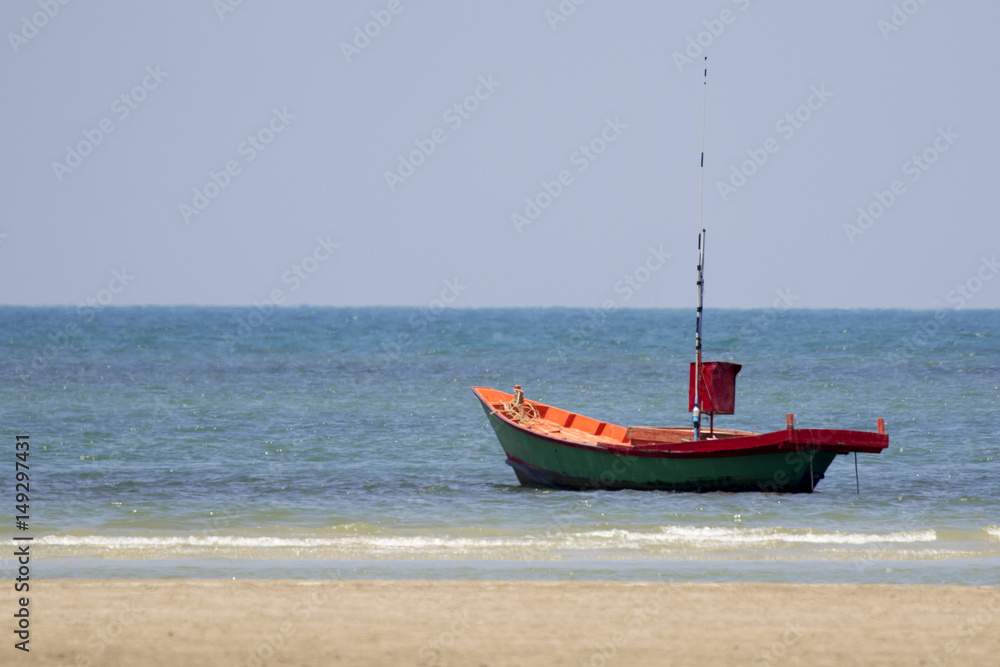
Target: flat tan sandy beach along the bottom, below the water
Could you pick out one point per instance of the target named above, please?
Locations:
(376, 622)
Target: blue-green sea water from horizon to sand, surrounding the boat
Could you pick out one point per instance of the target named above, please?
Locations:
(346, 442)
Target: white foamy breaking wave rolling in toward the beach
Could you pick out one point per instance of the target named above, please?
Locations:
(666, 541)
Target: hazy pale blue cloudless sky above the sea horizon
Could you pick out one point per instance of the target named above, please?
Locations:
(500, 153)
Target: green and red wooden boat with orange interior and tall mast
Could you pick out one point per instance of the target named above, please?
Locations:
(547, 446)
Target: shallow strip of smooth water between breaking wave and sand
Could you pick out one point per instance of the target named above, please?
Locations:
(979, 571)
